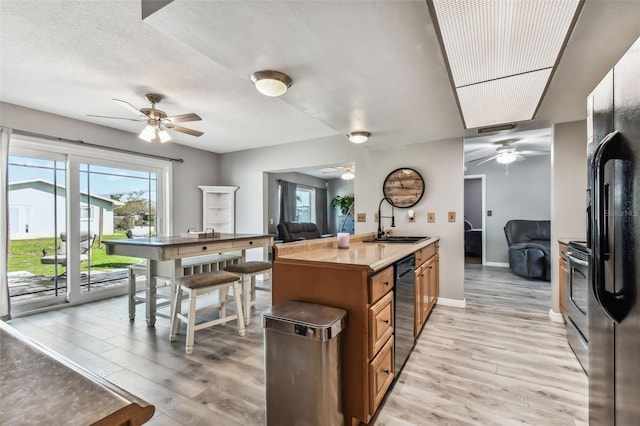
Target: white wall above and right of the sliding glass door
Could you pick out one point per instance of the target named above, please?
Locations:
(199, 167)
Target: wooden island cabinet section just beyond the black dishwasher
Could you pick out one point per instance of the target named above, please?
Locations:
(427, 285)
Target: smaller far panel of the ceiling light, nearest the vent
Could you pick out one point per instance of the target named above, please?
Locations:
(506, 100)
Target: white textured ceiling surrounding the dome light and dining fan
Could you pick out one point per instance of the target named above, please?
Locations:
(356, 65)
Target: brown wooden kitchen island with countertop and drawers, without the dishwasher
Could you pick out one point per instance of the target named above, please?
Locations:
(359, 279)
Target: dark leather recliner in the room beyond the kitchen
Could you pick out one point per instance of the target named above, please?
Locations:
(529, 248)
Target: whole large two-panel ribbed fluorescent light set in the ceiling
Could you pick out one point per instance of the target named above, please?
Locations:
(501, 55)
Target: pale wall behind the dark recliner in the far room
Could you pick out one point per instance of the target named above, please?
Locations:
(525, 193)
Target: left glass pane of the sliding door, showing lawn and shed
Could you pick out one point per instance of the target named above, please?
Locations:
(37, 228)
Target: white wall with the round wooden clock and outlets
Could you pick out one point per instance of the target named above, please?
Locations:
(440, 163)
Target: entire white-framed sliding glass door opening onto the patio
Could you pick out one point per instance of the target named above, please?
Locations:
(63, 203)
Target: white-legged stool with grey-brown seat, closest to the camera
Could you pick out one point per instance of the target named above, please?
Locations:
(195, 285)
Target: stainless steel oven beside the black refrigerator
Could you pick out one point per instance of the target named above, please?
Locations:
(577, 300)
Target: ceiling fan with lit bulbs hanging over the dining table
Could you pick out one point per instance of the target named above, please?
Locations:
(157, 120)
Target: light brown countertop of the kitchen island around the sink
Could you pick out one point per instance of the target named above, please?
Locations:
(372, 255)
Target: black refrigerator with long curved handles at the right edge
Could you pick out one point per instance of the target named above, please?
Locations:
(613, 236)
